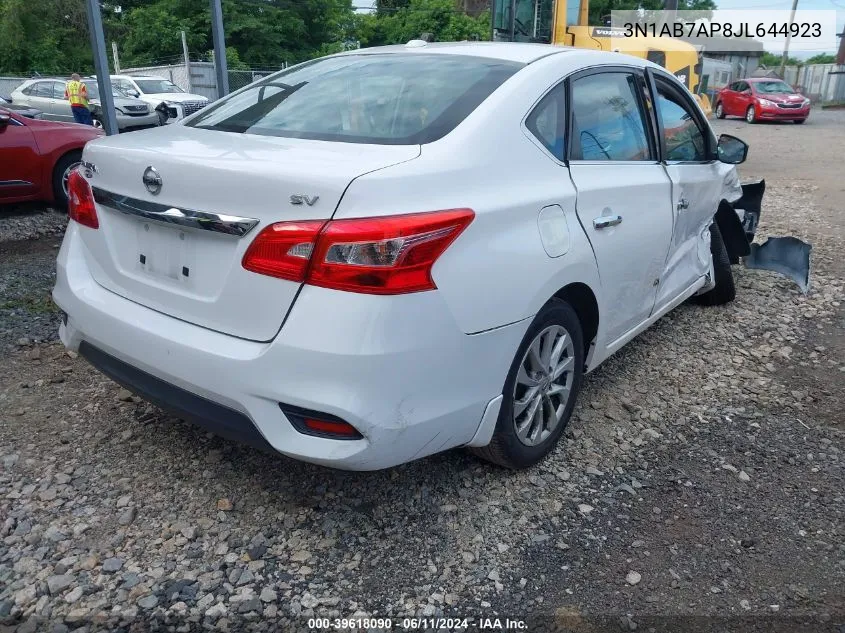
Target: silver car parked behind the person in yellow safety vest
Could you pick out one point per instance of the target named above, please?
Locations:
(48, 95)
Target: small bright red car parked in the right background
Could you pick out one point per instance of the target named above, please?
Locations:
(762, 99)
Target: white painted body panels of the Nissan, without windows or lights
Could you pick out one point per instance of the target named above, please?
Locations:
(416, 373)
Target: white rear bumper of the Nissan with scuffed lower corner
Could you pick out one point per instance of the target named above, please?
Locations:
(396, 368)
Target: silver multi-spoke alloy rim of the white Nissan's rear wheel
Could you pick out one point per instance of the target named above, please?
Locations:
(543, 385)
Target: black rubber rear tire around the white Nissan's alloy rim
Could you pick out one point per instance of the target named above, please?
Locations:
(506, 449)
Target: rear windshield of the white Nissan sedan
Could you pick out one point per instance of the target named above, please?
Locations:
(387, 99)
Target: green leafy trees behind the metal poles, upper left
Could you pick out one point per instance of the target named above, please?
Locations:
(51, 36)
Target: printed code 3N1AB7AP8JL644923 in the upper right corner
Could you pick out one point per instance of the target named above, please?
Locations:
(718, 29)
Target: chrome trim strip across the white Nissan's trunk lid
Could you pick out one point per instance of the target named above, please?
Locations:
(203, 220)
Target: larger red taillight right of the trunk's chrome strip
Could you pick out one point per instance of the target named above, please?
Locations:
(387, 255)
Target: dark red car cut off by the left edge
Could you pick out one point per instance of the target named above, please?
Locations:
(36, 157)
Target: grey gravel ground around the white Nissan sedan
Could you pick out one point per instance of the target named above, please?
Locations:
(700, 486)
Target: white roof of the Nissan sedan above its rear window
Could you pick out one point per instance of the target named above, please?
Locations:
(524, 53)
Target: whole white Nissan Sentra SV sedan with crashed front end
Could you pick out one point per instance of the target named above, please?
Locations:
(379, 255)
